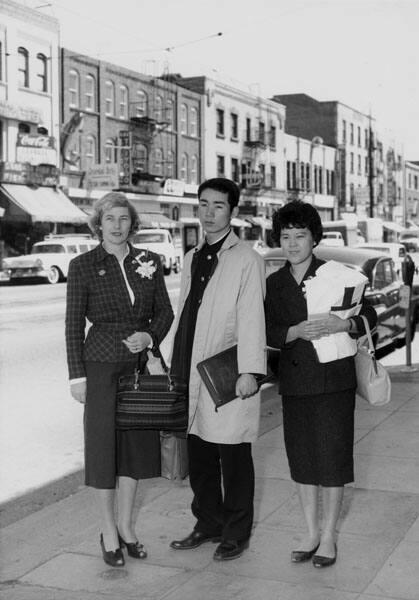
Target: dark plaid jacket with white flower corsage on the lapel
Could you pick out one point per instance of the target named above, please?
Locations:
(96, 291)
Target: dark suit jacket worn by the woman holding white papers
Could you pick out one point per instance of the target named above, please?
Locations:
(300, 372)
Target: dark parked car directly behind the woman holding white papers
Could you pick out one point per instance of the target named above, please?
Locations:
(382, 291)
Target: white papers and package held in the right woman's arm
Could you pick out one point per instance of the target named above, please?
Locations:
(337, 289)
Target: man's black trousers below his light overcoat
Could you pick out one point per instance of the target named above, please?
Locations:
(222, 478)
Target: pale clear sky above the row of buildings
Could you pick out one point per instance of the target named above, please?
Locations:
(364, 53)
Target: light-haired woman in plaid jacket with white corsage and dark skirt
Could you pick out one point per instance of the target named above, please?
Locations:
(121, 292)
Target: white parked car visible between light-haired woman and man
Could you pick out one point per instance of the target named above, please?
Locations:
(161, 242)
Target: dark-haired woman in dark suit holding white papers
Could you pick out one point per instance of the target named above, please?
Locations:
(318, 398)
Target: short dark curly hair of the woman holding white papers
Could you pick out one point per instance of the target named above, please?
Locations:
(297, 214)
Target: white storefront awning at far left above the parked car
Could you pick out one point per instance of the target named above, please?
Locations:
(44, 204)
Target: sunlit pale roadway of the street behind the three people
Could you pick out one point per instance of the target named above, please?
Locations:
(40, 424)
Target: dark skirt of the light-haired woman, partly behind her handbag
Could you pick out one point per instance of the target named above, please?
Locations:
(110, 453)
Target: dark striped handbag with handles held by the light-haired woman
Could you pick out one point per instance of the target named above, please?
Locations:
(158, 402)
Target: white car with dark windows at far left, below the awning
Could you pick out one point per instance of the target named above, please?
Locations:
(48, 260)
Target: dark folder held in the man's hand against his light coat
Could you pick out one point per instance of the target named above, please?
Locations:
(220, 373)
